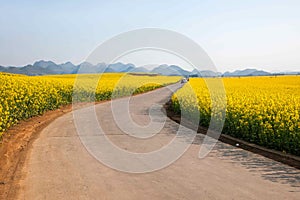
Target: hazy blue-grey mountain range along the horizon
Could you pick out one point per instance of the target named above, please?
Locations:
(49, 67)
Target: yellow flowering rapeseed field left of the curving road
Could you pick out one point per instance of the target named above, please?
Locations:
(22, 97)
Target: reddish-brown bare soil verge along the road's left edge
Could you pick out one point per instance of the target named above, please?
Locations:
(17, 141)
